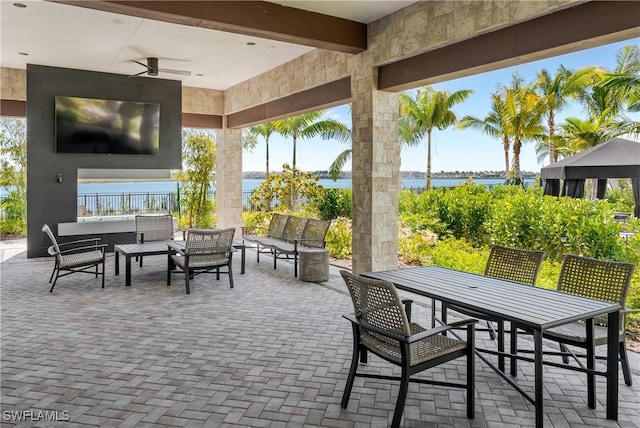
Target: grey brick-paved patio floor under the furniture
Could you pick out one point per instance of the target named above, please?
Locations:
(264, 353)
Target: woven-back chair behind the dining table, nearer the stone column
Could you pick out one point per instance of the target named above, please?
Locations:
(511, 264)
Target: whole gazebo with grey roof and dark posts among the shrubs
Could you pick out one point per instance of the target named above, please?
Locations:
(616, 158)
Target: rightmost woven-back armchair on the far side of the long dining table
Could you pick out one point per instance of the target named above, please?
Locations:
(596, 279)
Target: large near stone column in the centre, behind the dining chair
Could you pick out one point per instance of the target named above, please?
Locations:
(376, 168)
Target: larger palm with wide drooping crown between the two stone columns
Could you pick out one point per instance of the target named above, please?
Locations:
(308, 125)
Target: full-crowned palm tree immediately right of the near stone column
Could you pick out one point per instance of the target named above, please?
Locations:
(429, 109)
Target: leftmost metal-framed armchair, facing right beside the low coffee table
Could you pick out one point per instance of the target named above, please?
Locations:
(75, 256)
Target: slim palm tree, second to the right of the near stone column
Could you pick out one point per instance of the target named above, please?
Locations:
(495, 124)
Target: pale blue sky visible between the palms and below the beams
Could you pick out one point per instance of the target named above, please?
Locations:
(452, 150)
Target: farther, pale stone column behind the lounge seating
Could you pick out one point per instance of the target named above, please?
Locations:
(229, 179)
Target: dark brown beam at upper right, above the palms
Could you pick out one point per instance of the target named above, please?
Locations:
(557, 33)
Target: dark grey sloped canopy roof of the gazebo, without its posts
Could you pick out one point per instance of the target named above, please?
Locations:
(617, 158)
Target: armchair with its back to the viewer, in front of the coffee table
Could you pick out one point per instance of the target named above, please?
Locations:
(204, 251)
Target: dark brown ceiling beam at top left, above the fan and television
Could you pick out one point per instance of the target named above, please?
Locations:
(252, 18)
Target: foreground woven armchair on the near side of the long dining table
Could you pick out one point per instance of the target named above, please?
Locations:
(381, 326)
